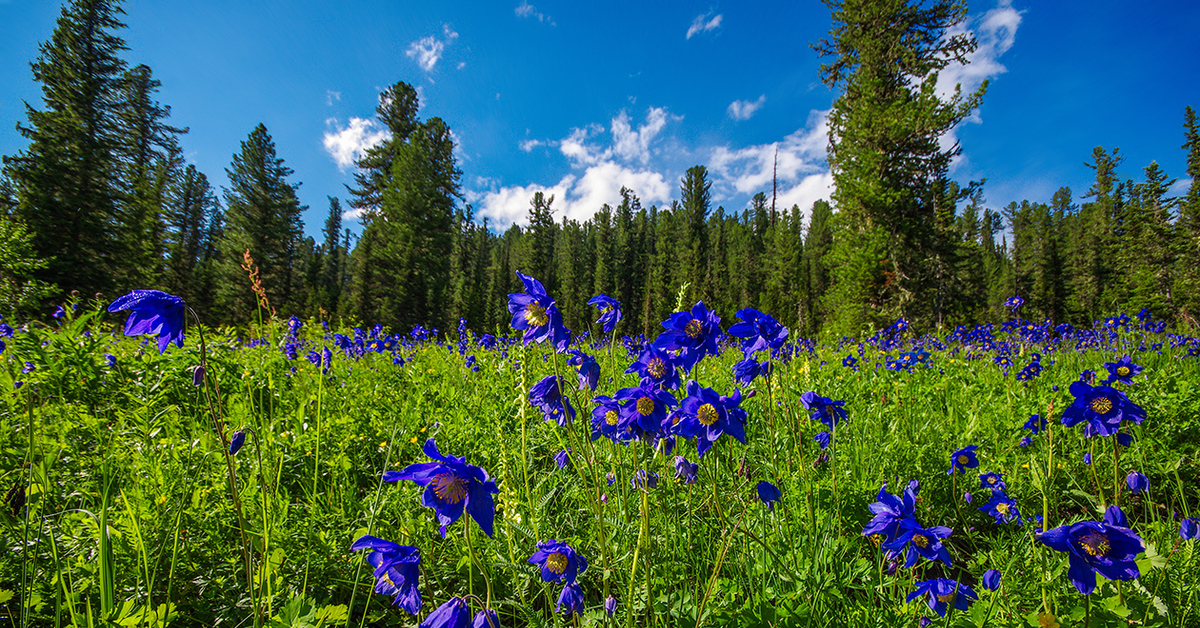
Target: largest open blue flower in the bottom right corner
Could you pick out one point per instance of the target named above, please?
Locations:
(1108, 548)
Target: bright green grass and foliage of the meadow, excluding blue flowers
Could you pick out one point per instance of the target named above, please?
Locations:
(129, 517)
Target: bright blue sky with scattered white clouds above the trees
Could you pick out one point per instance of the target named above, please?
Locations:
(579, 99)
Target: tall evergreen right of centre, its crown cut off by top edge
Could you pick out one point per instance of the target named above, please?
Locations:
(885, 152)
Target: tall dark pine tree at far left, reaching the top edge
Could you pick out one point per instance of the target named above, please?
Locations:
(68, 180)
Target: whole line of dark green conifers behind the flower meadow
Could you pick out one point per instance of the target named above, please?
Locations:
(101, 201)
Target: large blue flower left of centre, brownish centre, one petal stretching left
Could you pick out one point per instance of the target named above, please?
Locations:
(452, 486)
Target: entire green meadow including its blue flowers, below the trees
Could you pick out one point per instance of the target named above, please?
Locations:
(241, 480)
